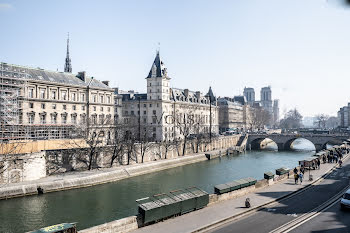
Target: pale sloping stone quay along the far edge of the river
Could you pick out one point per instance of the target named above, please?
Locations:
(81, 179)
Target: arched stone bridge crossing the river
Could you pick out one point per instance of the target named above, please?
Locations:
(284, 141)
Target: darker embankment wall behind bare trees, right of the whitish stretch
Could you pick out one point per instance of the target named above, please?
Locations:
(64, 160)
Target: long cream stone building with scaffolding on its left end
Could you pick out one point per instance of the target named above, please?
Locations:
(47, 105)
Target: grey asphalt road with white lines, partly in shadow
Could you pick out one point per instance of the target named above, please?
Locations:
(288, 211)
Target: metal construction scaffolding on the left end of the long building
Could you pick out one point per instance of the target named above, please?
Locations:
(13, 99)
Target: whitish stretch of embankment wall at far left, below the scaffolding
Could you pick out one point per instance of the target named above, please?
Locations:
(22, 167)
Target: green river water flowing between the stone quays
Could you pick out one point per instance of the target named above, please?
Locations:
(103, 203)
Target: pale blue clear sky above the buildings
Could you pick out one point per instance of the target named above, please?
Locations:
(299, 48)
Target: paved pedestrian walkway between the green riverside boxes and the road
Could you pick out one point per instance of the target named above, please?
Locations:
(218, 212)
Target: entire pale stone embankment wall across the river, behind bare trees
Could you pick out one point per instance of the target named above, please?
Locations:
(31, 166)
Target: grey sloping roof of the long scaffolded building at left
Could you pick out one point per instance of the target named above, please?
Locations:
(38, 74)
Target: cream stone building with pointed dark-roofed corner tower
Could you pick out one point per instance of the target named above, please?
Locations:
(166, 111)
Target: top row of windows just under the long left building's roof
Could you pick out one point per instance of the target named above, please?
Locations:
(64, 96)
